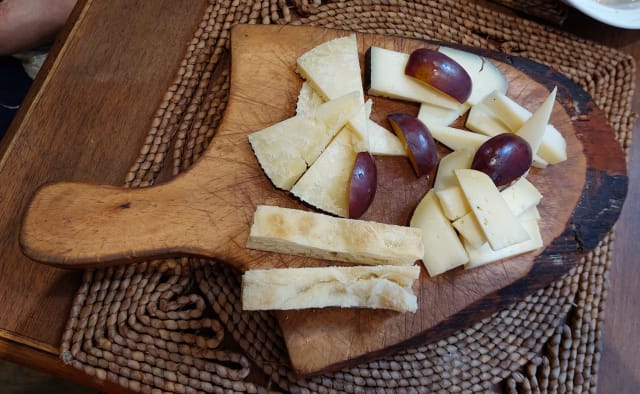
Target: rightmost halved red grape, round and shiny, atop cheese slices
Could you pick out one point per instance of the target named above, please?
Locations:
(504, 157)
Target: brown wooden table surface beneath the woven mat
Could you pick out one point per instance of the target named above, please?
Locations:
(44, 145)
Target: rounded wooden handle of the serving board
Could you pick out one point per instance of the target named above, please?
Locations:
(75, 225)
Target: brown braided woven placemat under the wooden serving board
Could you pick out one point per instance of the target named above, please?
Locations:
(176, 325)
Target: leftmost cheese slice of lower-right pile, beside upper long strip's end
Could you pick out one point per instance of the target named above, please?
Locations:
(443, 250)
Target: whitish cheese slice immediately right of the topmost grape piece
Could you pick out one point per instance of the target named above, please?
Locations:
(485, 76)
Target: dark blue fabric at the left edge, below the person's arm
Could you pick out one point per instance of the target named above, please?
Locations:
(14, 84)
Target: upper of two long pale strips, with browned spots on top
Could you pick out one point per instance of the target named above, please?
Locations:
(302, 233)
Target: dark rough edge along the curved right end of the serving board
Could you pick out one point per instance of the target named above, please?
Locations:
(596, 212)
